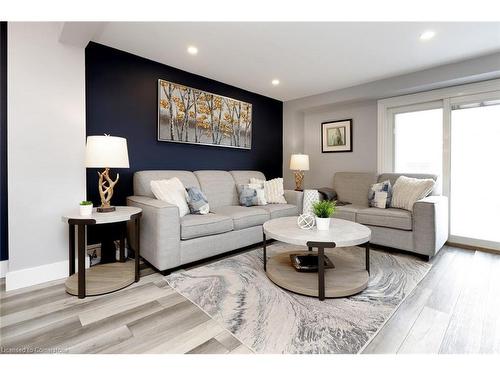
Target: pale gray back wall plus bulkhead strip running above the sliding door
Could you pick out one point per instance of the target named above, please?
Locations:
(303, 116)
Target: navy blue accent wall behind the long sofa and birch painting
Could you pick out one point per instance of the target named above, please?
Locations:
(121, 100)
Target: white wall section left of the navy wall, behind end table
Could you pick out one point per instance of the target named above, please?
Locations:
(46, 144)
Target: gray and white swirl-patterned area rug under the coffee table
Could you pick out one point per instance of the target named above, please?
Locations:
(236, 292)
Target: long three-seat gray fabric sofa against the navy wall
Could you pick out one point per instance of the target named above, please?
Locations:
(168, 241)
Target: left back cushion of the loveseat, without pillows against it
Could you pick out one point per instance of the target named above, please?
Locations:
(353, 187)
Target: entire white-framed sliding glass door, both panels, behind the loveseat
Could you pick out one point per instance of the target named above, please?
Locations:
(458, 139)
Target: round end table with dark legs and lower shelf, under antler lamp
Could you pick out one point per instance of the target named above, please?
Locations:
(101, 278)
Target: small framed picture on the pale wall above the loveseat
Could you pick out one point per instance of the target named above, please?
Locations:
(336, 136)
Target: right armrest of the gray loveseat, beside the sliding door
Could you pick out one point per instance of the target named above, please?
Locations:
(430, 220)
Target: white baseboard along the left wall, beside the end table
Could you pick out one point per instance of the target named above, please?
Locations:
(40, 274)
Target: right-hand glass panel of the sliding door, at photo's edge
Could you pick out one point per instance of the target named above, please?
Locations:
(475, 173)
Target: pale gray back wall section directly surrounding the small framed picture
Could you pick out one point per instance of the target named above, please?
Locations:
(363, 158)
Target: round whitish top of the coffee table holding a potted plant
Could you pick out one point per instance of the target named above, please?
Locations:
(343, 232)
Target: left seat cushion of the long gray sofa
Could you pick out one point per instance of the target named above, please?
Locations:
(193, 226)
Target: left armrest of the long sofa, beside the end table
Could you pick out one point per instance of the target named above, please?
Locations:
(160, 232)
